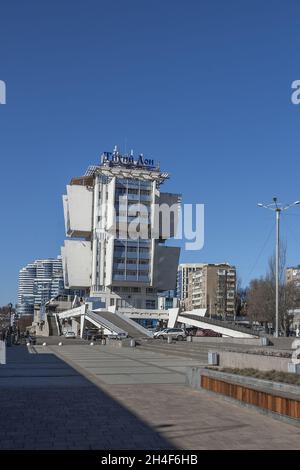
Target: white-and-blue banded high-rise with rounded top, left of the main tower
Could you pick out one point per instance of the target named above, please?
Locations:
(39, 282)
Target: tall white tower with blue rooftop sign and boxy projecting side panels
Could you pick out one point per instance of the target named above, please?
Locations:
(116, 246)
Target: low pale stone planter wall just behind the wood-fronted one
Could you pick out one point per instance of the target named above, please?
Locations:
(241, 360)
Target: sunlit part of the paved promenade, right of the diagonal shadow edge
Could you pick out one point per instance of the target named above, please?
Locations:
(151, 385)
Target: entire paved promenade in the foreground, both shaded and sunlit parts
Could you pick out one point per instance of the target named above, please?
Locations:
(81, 396)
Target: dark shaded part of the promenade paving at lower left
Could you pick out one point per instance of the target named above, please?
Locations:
(45, 404)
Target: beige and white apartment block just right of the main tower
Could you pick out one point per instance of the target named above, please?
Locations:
(213, 286)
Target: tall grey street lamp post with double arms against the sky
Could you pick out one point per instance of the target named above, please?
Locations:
(277, 207)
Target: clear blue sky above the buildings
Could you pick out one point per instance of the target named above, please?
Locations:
(202, 86)
